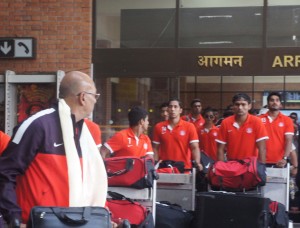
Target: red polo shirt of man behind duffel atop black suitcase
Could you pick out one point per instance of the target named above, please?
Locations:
(241, 141)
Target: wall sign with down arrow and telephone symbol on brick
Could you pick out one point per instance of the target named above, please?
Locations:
(17, 47)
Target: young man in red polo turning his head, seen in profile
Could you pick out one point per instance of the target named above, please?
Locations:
(131, 141)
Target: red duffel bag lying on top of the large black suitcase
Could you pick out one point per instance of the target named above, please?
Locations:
(237, 175)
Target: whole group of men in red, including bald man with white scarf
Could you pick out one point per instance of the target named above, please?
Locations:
(53, 156)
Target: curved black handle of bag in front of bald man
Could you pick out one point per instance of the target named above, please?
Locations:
(65, 218)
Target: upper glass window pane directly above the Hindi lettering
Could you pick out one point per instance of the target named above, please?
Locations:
(214, 23)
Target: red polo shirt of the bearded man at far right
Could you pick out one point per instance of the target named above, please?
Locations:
(277, 130)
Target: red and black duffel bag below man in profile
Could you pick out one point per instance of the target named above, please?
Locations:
(131, 172)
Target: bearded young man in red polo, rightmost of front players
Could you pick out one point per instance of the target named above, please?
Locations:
(280, 129)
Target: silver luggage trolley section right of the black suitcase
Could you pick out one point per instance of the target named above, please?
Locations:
(277, 185)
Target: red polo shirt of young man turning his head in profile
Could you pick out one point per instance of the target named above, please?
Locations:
(125, 143)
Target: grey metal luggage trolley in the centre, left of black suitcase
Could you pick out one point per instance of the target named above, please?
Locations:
(177, 188)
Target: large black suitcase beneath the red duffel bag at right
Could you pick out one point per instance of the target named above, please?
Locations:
(218, 209)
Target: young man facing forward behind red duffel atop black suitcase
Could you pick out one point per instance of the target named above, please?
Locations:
(242, 135)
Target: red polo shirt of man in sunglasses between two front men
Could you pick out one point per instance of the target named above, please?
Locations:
(207, 141)
